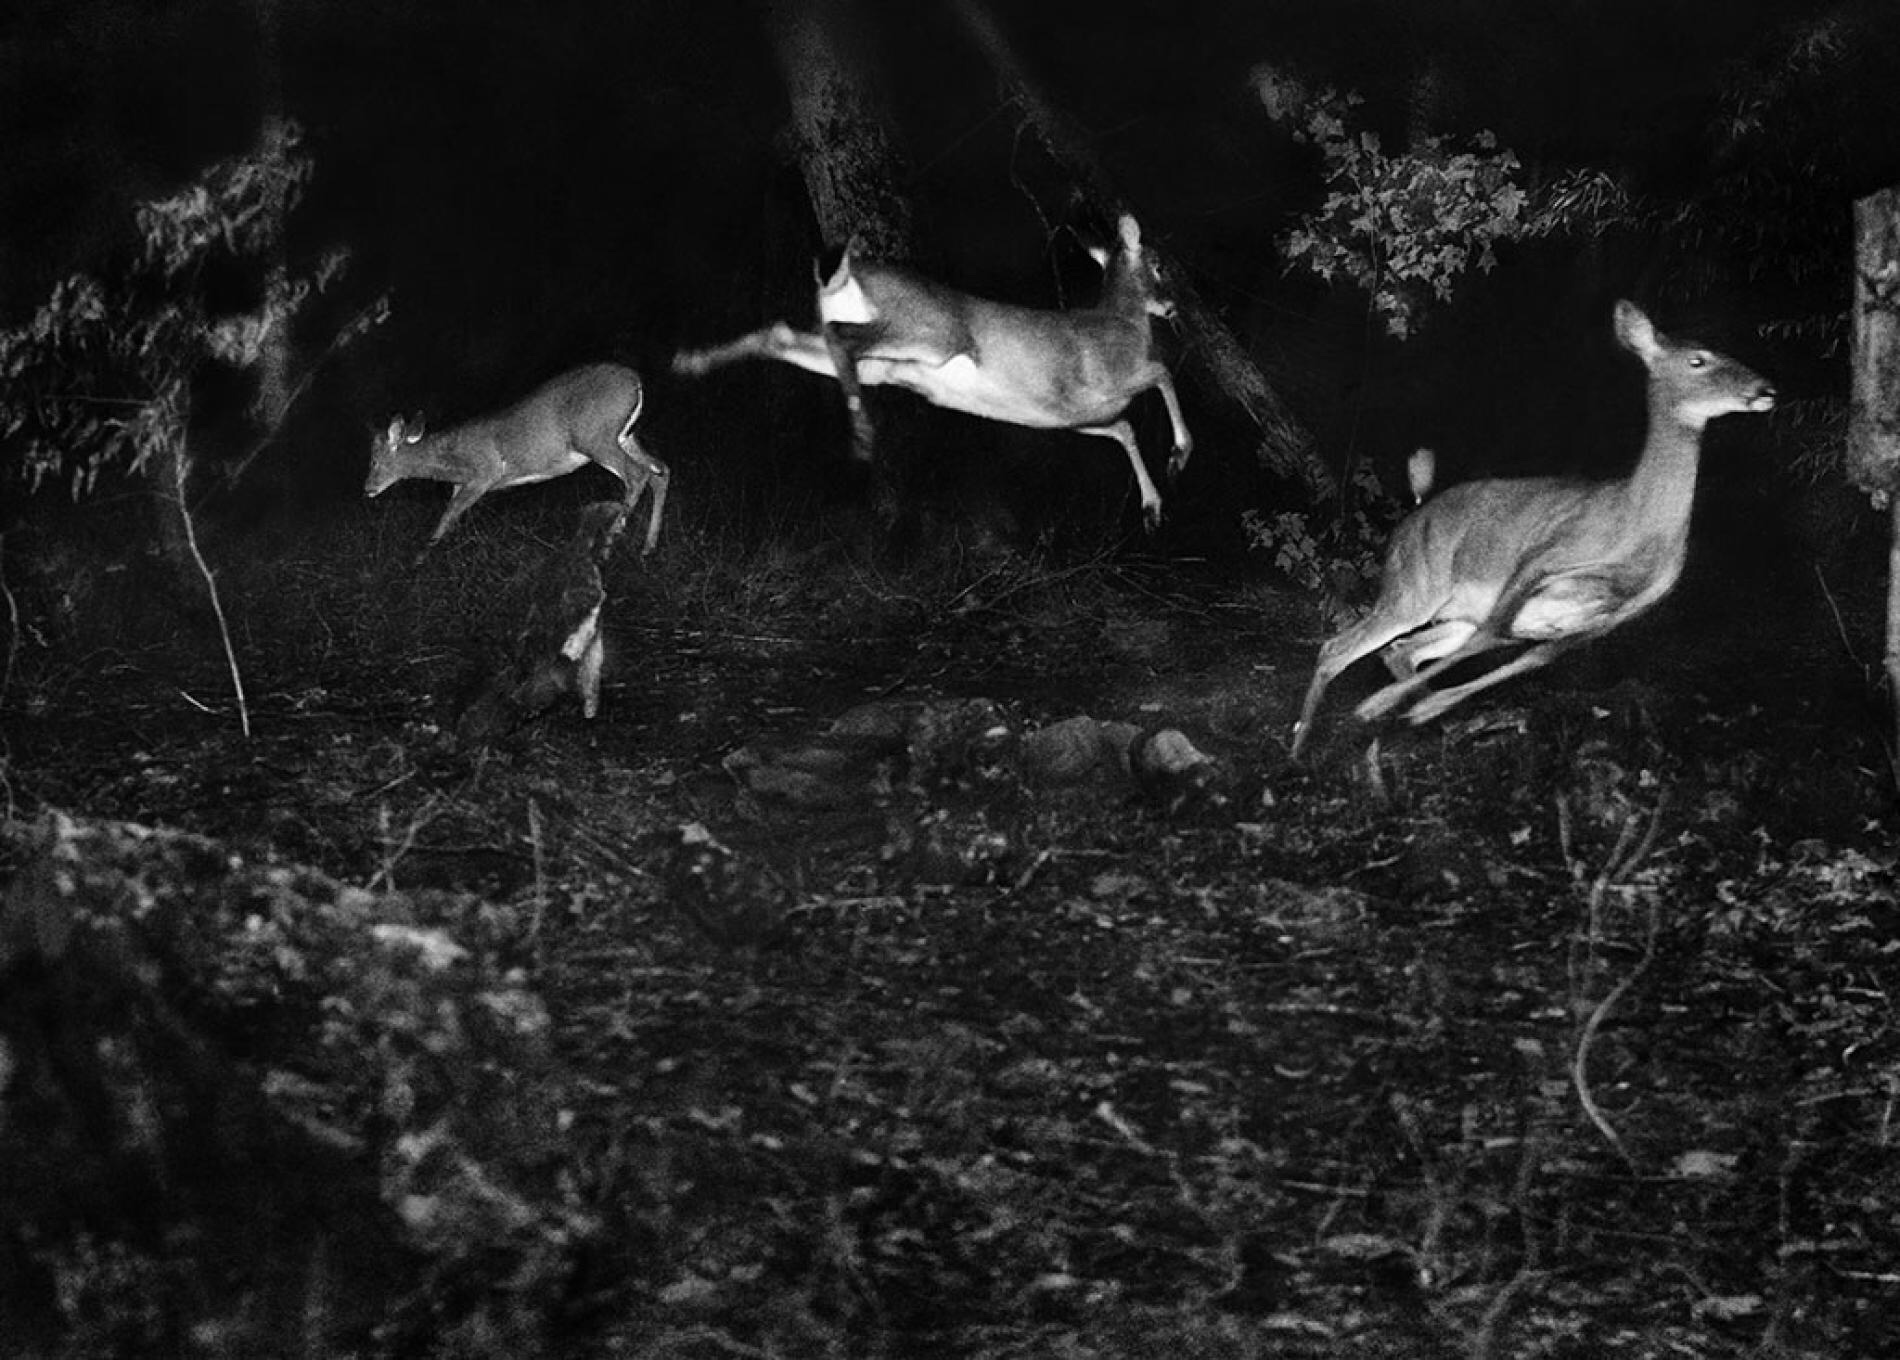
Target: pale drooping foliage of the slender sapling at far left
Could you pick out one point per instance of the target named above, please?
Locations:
(100, 379)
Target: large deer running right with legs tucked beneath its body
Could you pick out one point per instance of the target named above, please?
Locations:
(1542, 563)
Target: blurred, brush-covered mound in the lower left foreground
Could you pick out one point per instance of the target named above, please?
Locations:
(392, 1034)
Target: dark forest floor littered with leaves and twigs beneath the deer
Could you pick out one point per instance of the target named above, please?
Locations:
(1561, 1029)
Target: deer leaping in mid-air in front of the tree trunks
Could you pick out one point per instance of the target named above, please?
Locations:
(886, 326)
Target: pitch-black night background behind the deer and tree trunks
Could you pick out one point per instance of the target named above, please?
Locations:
(548, 185)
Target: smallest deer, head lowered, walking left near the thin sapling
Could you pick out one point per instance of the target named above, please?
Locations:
(582, 417)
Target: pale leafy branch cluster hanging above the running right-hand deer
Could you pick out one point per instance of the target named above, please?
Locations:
(1407, 227)
